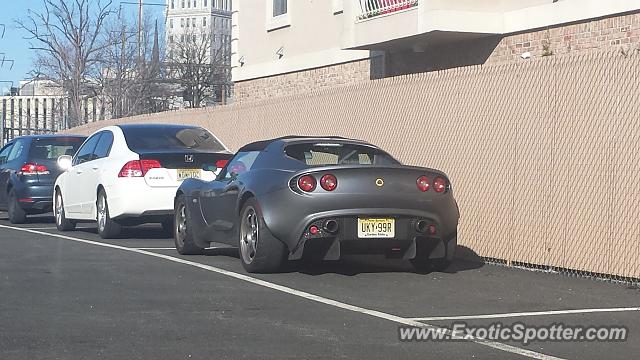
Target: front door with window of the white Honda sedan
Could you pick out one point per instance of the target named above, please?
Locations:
(78, 190)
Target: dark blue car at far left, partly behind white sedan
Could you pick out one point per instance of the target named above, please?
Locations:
(28, 170)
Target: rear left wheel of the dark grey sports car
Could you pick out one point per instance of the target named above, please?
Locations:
(265, 254)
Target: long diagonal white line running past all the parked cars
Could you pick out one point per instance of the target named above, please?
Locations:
(302, 294)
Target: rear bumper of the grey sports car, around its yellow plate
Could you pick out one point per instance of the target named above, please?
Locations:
(289, 215)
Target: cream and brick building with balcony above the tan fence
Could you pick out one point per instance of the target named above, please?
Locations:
(282, 47)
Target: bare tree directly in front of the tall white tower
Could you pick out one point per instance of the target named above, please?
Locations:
(200, 69)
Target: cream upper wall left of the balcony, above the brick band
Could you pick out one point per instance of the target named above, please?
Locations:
(312, 39)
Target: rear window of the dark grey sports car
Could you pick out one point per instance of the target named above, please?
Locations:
(326, 154)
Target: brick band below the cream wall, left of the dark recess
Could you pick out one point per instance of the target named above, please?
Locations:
(301, 81)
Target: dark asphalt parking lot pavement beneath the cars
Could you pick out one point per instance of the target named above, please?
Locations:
(75, 296)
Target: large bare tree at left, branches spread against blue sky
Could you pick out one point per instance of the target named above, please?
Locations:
(68, 38)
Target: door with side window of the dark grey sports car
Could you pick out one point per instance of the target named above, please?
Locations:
(219, 201)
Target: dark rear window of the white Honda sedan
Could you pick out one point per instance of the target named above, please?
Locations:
(171, 138)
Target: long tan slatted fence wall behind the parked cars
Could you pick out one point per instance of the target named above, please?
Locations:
(544, 155)
